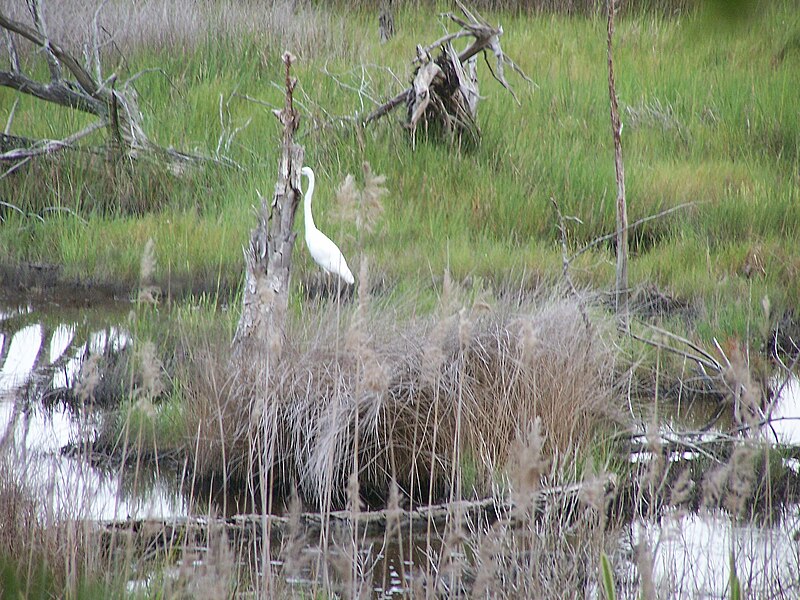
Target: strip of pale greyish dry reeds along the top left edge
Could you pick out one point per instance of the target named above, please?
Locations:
(170, 25)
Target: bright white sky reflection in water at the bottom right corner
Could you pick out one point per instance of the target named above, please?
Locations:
(692, 553)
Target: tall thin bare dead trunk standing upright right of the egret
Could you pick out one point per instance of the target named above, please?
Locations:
(622, 292)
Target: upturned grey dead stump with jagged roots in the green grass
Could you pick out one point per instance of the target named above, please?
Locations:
(444, 91)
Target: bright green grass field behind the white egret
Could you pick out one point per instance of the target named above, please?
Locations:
(711, 118)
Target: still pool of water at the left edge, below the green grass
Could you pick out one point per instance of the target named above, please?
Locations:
(39, 438)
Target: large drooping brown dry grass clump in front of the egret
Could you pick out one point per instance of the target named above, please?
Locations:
(418, 402)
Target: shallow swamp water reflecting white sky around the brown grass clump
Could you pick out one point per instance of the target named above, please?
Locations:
(43, 347)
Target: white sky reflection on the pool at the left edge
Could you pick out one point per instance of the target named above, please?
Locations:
(72, 488)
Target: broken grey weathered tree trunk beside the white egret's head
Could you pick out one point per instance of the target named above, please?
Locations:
(268, 259)
